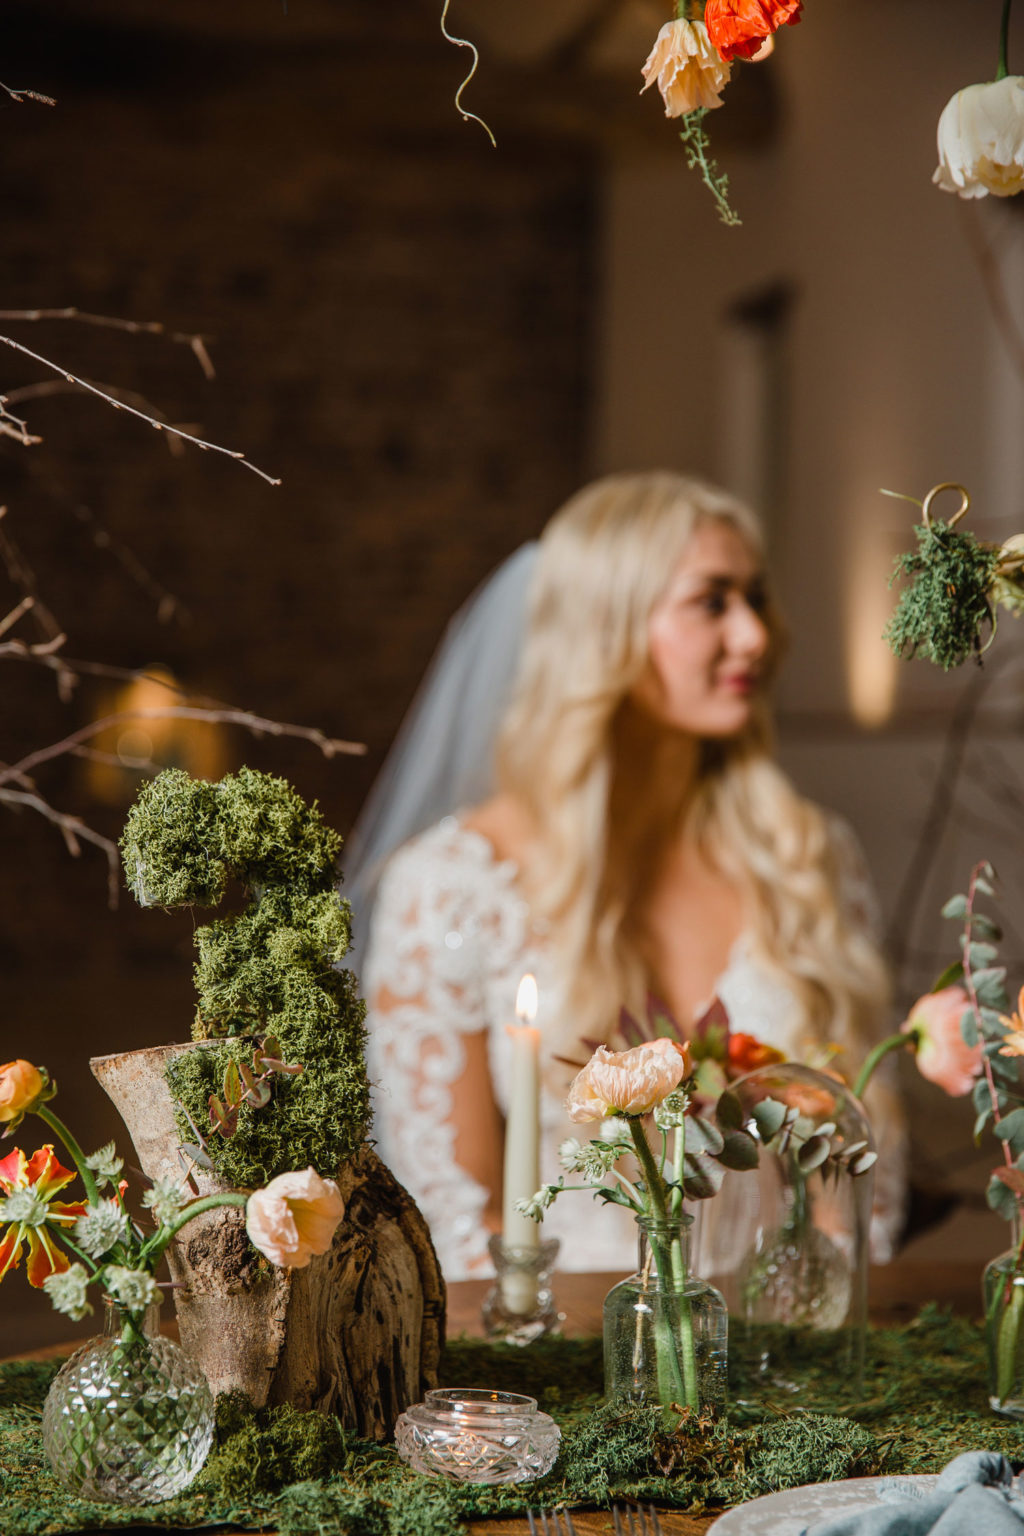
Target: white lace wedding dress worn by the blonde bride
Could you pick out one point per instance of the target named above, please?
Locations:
(451, 941)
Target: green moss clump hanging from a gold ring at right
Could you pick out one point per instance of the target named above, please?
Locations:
(946, 607)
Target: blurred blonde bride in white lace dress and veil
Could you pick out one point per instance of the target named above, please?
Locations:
(627, 833)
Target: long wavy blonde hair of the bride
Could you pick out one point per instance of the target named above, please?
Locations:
(606, 560)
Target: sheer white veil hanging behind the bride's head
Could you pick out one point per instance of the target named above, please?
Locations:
(443, 758)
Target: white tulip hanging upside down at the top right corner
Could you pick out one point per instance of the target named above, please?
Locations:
(982, 141)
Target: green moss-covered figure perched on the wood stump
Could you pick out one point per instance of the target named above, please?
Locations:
(269, 970)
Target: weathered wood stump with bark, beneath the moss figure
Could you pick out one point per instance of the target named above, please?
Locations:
(357, 1332)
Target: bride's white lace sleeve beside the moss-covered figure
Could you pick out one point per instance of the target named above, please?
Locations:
(428, 1021)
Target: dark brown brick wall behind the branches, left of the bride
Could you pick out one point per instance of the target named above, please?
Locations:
(400, 325)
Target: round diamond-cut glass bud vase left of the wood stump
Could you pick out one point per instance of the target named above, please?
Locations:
(130, 1418)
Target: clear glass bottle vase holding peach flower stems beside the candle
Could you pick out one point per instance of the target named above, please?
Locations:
(666, 1329)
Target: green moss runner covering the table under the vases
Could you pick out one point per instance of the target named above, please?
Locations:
(925, 1400)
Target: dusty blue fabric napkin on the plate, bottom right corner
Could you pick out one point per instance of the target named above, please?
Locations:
(974, 1497)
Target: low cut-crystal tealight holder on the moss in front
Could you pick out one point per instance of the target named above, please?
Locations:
(475, 1435)
